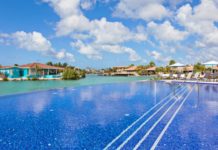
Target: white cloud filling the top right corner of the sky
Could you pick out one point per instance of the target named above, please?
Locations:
(200, 20)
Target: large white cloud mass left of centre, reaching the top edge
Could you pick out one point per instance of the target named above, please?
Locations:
(92, 36)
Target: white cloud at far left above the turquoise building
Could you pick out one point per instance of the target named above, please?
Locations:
(34, 41)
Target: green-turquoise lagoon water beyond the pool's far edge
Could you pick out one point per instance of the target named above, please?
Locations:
(28, 86)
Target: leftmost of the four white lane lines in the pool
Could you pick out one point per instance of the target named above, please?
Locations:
(130, 126)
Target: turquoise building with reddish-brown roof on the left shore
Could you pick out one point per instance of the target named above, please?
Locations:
(32, 70)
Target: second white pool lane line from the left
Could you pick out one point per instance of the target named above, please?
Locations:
(144, 123)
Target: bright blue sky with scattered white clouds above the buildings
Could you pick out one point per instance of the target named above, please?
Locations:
(105, 33)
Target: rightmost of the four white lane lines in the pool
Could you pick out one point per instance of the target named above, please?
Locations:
(168, 123)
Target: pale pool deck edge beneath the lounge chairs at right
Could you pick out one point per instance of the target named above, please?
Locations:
(190, 81)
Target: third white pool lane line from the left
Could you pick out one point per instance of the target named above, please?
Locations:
(148, 132)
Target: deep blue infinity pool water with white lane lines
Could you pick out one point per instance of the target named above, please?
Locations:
(140, 115)
